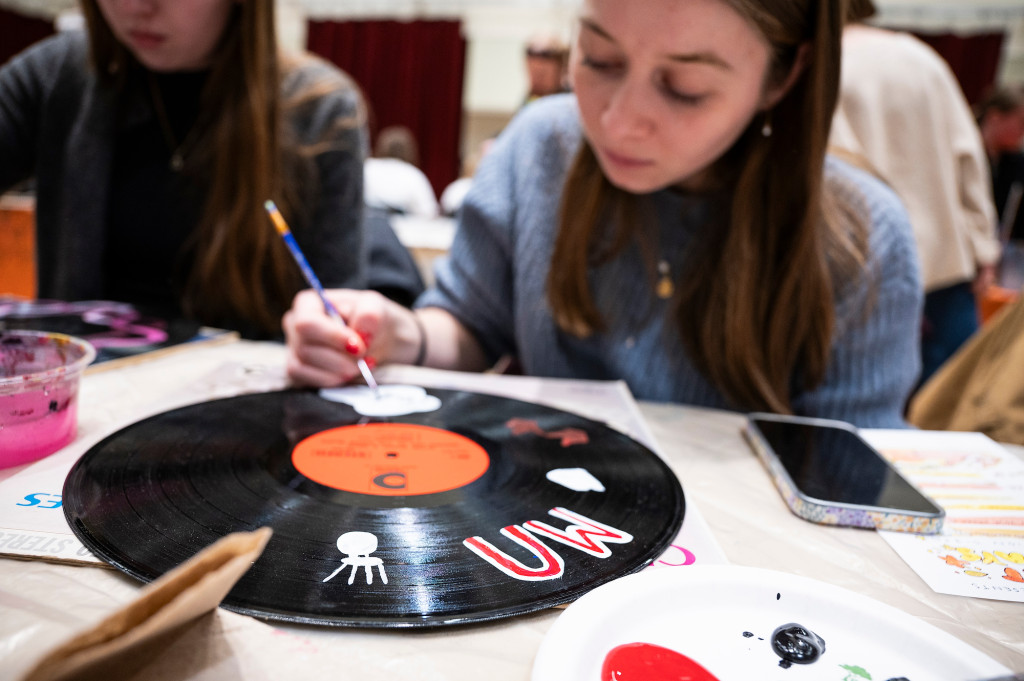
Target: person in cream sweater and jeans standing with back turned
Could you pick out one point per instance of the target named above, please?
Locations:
(903, 114)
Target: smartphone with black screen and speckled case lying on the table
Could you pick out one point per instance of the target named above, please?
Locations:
(828, 474)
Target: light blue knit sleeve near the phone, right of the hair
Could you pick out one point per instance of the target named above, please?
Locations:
(875, 360)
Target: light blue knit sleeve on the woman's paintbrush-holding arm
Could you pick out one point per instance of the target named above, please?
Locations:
(495, 279)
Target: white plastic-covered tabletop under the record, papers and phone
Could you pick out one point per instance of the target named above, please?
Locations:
(719, 475)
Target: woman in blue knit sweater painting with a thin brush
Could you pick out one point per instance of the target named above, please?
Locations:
(674, 224)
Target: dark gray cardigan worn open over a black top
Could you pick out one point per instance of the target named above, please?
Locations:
(58, 123)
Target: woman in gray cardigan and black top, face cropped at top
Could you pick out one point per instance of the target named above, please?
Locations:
(155, 139)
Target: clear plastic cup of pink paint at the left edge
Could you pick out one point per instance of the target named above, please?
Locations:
(39, 377)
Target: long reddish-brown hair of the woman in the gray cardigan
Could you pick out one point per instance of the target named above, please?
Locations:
(241, 270)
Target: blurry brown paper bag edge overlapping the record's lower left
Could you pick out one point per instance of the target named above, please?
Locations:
(119, 645)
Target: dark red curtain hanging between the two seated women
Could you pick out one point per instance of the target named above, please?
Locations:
(412, 75)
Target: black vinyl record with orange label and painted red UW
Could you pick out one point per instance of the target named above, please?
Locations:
(483, 509)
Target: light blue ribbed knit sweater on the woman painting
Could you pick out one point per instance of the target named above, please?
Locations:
(495, 283)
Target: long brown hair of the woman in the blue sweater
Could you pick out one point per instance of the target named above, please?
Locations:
(756, 311)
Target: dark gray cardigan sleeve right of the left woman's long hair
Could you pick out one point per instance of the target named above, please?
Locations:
(333, 125)
